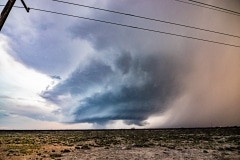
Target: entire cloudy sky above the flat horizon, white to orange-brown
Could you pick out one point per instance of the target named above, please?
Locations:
(61, 72)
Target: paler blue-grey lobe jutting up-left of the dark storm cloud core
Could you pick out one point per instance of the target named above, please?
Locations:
(80, 81)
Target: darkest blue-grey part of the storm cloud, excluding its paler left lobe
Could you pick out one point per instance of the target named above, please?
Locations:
(130, 102)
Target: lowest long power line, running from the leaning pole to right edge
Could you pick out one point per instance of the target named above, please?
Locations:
(133, 27)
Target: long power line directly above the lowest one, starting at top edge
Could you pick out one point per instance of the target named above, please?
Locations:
(147, 18)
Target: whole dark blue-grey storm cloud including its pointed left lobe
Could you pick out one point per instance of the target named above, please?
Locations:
(130, 89)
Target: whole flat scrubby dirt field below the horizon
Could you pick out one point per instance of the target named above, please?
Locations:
(211, 143)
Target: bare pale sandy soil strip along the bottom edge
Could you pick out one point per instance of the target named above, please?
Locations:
(154, 153)
